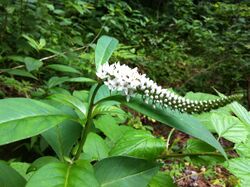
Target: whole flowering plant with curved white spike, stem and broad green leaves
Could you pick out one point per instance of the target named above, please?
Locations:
(84, 128)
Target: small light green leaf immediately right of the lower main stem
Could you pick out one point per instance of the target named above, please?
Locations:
(95, 147)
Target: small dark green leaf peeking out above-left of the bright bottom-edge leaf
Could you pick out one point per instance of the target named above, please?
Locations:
(40, 162)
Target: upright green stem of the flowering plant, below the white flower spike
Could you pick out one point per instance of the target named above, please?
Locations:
(87, 127)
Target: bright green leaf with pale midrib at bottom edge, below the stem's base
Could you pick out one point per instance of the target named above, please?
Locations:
(63, 174)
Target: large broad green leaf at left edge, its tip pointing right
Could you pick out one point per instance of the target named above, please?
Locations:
(22, 118)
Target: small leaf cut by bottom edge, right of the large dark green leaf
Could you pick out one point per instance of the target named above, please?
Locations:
(162, 179)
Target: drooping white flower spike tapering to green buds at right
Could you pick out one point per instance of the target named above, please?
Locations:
(129, 81)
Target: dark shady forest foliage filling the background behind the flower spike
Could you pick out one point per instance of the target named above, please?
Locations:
(181, 44)
